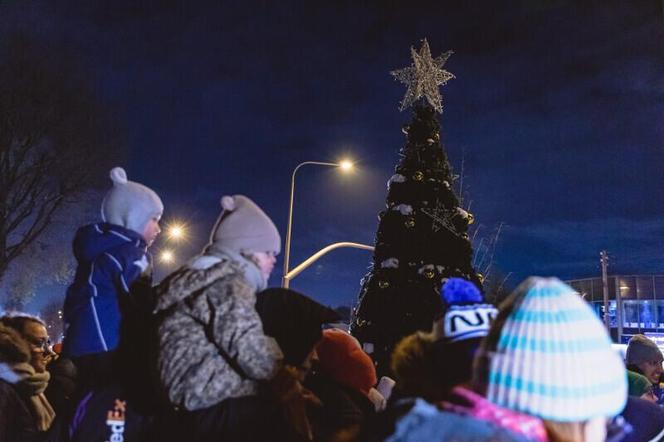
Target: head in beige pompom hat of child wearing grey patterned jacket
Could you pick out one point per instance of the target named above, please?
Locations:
(243, 228)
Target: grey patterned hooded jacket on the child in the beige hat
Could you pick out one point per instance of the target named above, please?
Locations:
(211, 341)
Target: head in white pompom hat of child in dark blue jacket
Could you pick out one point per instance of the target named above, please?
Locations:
(132, 205)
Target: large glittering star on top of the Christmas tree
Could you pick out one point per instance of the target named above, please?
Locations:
(423, 77)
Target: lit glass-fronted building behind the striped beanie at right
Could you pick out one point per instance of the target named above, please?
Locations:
(639, 308)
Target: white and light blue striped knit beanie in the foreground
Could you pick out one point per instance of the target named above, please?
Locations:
(548, 355)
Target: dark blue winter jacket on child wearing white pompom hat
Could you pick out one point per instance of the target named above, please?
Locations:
(110, 258)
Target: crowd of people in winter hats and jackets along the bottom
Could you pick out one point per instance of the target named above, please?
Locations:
(212, 354)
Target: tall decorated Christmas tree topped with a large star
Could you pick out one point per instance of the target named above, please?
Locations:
(422, 234)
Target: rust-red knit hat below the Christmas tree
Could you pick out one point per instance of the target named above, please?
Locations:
(342, 358)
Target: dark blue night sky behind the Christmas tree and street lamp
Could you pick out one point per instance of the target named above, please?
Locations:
(556, 111)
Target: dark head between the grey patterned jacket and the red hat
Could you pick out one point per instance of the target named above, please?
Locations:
(295, 322)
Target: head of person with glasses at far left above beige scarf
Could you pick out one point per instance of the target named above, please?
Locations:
(33, 331)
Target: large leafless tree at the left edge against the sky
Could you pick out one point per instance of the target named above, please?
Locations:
(55, 138)
